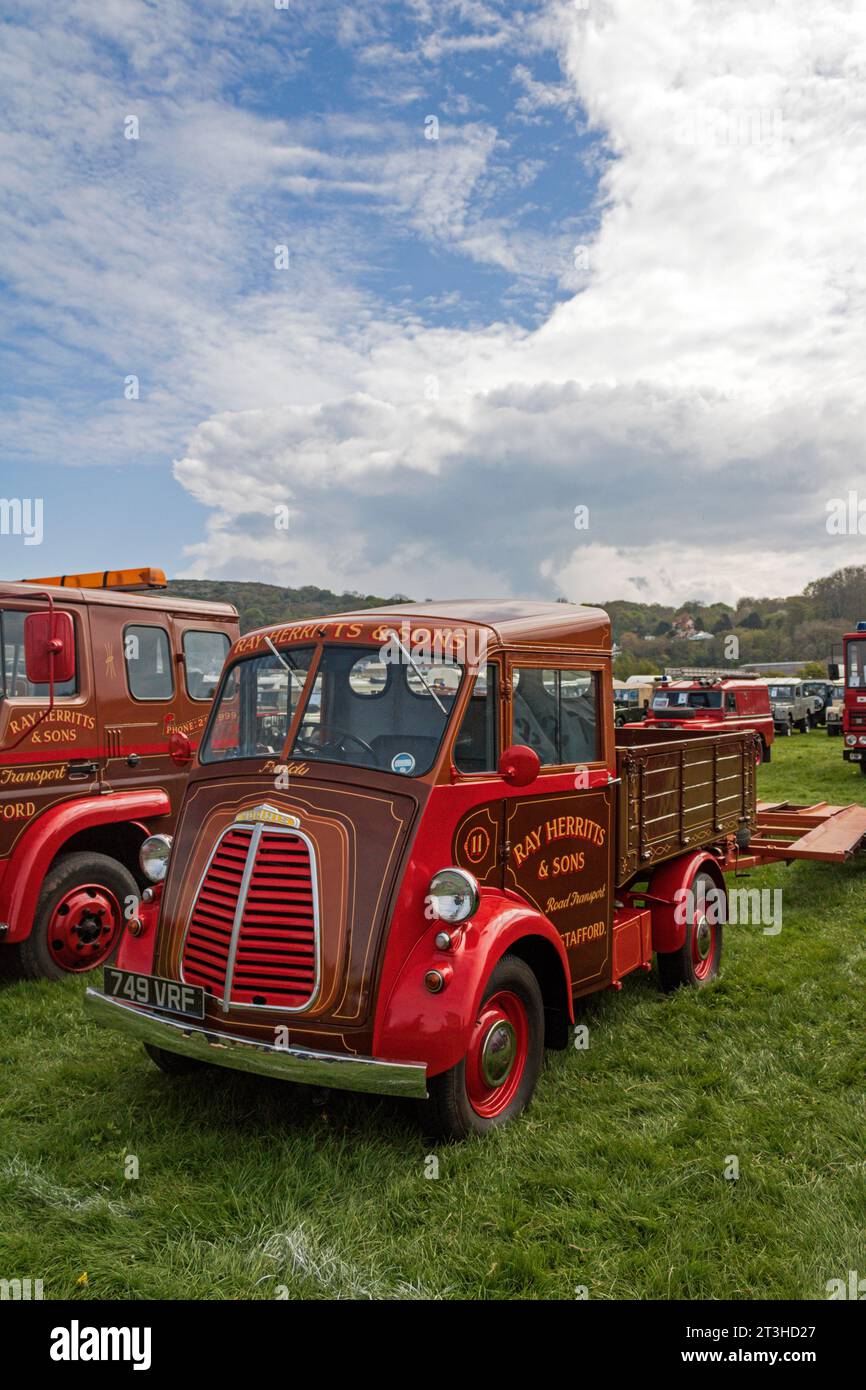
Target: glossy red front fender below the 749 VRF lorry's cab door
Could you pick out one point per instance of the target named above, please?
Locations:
(414, 1024)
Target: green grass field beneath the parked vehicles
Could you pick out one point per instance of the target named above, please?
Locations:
(614, 1182)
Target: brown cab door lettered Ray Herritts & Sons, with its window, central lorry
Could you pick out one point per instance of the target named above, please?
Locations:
(559, 833)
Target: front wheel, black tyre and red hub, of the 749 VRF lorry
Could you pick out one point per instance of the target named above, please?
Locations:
(497, 1078)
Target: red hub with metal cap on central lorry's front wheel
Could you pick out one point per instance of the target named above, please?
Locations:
(497, 1054)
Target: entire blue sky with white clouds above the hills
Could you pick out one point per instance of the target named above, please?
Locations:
(626, 273)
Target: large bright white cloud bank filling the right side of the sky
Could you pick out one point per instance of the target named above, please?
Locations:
(703, 393)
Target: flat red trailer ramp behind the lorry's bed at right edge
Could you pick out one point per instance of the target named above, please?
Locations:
(786, 832)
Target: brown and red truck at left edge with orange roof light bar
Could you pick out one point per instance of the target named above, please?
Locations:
(105, 689)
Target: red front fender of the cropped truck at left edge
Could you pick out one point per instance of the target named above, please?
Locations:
(47, 837)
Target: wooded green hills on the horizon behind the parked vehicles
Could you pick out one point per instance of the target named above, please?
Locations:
(801, 628)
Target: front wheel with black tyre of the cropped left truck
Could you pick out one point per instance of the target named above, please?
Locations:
(80, 918)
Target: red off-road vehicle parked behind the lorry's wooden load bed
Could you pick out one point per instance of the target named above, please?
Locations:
(712, 700)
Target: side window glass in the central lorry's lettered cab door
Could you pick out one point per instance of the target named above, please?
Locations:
(557, 715)
